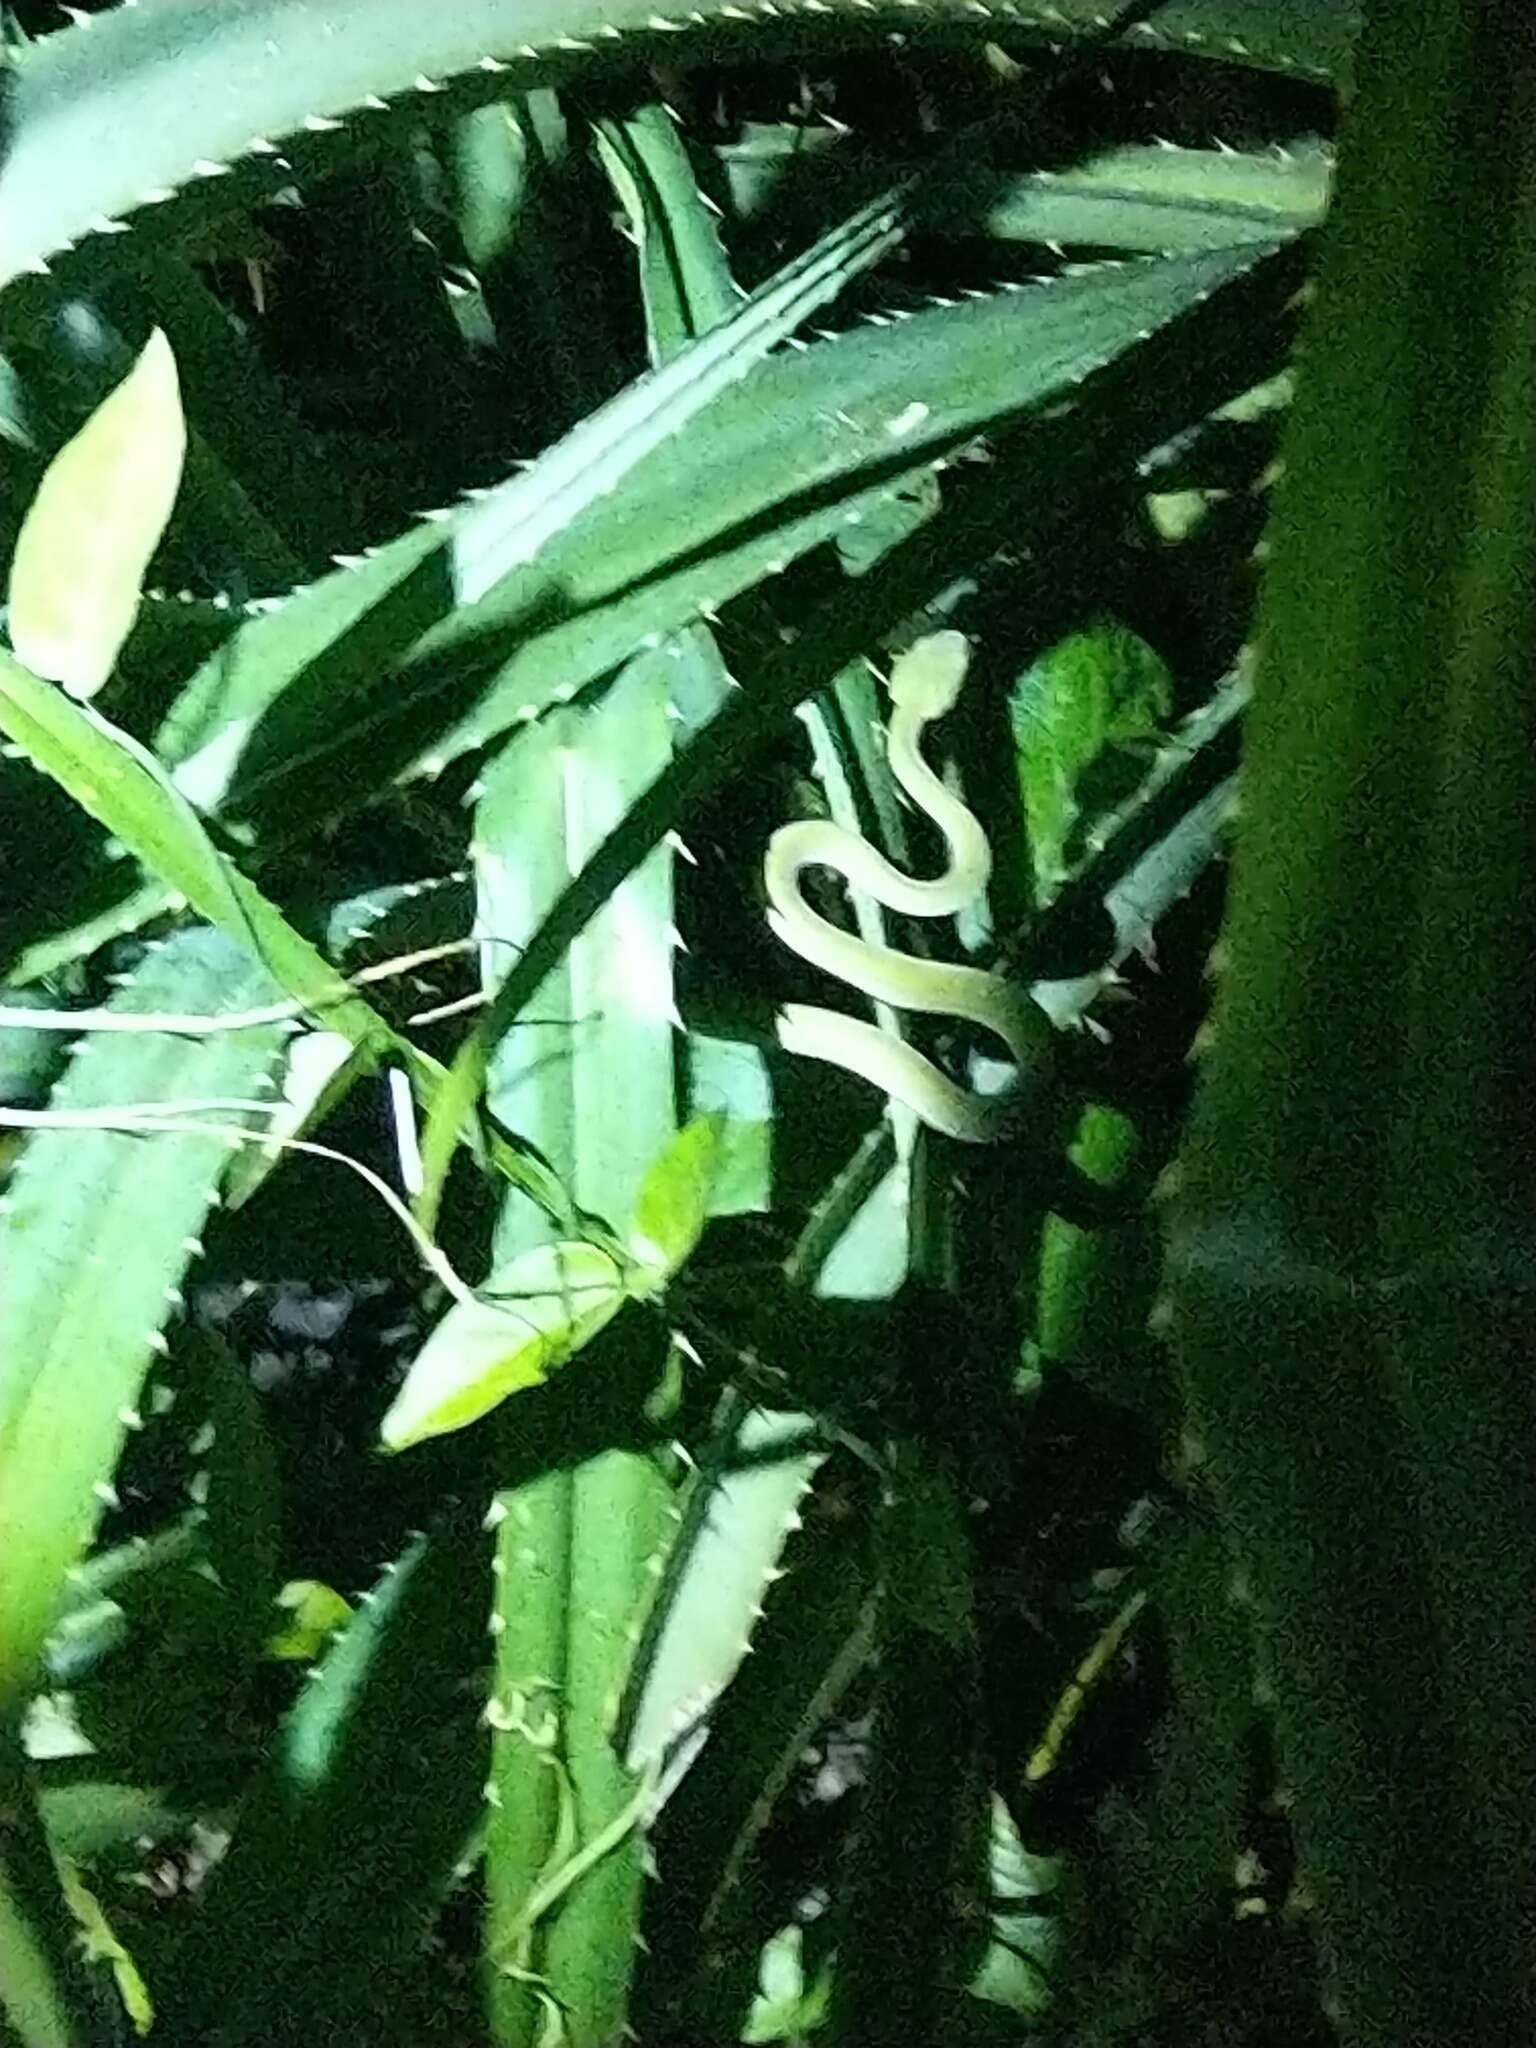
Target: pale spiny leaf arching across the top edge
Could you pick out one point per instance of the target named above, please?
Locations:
(140, 101)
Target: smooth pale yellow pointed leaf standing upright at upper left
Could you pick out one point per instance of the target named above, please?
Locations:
(93, 527)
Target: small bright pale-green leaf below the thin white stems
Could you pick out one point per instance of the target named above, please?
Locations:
(538, 1314)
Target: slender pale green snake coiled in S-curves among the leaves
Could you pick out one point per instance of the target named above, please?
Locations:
(925, 685)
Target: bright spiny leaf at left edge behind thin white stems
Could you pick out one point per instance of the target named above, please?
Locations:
(95, 1232)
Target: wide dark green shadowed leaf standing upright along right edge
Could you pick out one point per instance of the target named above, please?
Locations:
(1351, 1250)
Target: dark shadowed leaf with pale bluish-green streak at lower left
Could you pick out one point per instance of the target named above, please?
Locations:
(357, 1820)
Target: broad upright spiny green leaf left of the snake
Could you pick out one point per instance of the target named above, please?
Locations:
(574, 1545)
